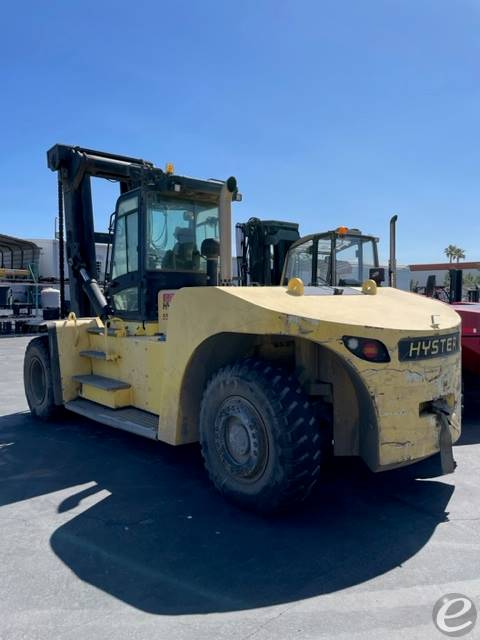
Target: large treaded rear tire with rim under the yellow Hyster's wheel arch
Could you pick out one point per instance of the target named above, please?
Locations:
(260, 437)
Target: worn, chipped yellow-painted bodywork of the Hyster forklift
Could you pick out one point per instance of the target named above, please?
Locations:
(154, 358)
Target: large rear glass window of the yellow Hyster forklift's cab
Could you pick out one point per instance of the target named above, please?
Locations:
(175, 231)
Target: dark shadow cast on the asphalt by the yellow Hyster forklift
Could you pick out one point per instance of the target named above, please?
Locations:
(162, 540)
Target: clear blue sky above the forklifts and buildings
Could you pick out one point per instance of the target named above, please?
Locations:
(328, 112)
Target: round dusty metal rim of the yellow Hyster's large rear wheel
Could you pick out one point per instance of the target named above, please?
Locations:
(241, 439)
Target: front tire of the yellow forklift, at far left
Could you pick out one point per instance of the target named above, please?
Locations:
(38, 380)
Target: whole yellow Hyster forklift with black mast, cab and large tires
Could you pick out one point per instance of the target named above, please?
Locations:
(269, 379)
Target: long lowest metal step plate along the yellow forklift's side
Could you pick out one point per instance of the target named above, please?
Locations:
(128, 419)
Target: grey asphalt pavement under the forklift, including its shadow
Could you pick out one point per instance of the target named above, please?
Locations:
(105, 535)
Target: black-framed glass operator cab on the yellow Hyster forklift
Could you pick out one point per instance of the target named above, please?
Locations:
(158, 244)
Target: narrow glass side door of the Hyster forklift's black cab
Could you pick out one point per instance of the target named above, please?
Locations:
(124, 287)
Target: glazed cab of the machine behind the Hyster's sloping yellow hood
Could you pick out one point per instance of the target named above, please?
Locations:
(343, 257)
